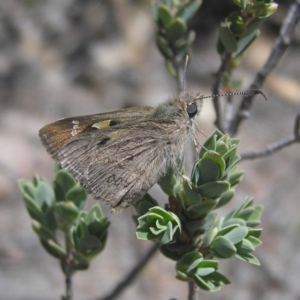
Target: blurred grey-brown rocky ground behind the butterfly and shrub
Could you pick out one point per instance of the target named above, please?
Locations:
(72, 57)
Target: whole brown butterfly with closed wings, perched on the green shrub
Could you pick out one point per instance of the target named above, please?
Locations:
(119, 156)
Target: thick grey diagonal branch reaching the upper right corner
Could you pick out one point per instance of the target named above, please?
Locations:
(281, 44)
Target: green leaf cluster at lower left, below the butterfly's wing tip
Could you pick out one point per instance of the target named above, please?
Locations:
(60, 208)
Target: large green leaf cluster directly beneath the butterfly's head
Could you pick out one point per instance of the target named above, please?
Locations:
(189, 229)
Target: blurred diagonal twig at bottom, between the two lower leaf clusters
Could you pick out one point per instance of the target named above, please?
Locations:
(132, 274)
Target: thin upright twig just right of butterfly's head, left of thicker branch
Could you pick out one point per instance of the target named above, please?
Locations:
(216, 90)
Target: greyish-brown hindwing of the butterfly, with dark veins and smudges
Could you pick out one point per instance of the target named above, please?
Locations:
(117, 165)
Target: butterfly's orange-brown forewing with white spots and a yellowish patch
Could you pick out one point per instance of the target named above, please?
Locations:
(57, 134)
